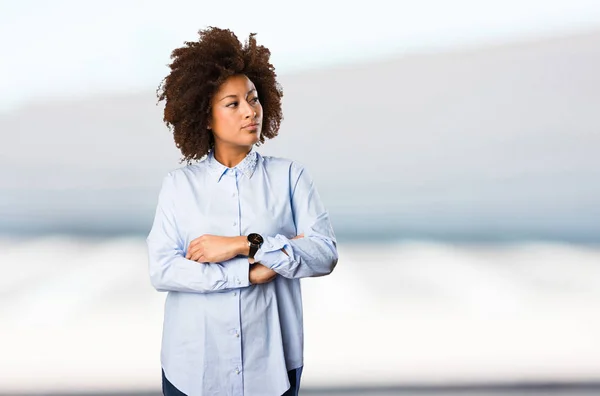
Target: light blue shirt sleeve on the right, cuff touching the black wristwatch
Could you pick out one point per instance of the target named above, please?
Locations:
(316, 253)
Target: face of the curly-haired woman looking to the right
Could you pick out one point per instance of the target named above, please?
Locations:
(236, 115)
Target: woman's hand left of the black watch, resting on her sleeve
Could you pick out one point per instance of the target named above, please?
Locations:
(212, 249)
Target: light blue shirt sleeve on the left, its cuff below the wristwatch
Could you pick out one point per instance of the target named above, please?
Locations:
(169, 269)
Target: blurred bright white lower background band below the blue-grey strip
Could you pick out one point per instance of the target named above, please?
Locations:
(78, 313)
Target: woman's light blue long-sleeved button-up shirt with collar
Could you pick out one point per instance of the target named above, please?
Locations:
(222, 335)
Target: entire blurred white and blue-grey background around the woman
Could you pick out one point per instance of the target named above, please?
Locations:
(455, 145)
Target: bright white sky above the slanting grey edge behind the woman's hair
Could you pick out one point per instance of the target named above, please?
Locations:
(68, 48)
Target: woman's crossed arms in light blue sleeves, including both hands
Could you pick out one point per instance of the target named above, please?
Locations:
(213, 263)
